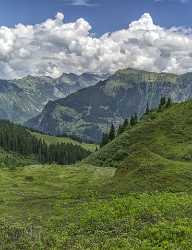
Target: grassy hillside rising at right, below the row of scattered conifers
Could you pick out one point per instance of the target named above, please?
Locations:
(156, 154)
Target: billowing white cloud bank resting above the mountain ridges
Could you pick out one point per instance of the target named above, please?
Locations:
(54, 47)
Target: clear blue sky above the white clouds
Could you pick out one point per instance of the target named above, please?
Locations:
(103, 15)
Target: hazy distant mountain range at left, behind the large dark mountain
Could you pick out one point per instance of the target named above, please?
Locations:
(24, 98)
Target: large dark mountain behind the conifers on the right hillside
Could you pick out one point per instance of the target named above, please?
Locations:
(89, 112)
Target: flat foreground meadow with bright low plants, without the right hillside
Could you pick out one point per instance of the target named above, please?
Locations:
(52, 207)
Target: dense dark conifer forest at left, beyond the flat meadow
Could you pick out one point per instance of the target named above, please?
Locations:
(18, 139)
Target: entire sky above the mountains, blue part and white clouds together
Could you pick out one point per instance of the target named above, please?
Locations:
(49, 37)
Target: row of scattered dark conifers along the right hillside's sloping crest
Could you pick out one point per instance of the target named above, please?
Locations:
(108, 137)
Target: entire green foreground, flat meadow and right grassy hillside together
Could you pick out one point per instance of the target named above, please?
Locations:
(133, 194)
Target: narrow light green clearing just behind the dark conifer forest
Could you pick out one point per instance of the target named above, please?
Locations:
(54, 140)
